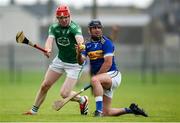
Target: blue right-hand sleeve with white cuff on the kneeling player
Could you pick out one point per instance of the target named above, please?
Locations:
(108, 48)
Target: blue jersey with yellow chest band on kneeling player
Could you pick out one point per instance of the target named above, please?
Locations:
(96, 51)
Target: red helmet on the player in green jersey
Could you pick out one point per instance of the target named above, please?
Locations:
(63, 11)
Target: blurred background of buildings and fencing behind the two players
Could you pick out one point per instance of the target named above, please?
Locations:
(146, 33)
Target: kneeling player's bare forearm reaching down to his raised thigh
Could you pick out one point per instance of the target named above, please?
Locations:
(106, 65)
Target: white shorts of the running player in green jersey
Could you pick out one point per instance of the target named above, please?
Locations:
(72, 70)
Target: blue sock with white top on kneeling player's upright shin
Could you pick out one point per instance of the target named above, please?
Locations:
(99, 103)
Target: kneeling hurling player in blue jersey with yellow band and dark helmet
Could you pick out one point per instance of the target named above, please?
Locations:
(105, 74)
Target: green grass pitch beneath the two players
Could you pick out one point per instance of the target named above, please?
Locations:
(161, 99)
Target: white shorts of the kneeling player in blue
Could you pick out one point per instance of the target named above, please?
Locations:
(116, 80)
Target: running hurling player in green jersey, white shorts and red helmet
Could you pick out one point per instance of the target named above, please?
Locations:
(65, 33)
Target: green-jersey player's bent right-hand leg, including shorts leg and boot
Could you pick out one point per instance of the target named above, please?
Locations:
(73, 73)
